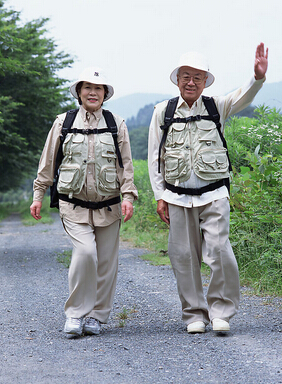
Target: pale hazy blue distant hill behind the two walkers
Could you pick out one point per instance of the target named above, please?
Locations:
(129, 106)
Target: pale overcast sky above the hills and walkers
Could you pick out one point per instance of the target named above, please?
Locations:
(139, 42)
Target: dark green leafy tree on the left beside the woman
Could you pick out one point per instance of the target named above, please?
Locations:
(31, 94)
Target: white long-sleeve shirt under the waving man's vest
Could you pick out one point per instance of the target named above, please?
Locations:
(227, 105)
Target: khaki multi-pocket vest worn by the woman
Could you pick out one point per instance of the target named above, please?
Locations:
(73, 169)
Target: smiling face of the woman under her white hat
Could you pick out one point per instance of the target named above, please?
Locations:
(92, 96)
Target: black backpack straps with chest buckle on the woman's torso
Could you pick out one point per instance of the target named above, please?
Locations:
(67, 124)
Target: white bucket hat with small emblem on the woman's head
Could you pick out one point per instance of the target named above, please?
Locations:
(92, 75)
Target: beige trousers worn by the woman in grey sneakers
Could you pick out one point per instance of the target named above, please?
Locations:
(93, 269)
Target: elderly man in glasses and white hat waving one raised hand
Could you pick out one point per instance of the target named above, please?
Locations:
(189, 172)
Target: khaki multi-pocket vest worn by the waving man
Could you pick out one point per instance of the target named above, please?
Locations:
(196, 146)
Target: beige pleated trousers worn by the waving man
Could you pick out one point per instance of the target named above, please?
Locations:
(203, 233)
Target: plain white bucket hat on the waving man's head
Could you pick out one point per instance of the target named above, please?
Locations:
(193, 60)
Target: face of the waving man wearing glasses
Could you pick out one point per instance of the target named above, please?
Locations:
(191, 83)
